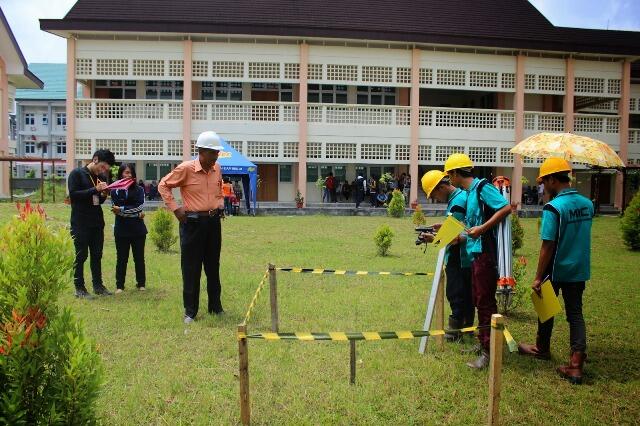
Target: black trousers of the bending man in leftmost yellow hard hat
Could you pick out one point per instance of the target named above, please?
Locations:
(459, 293)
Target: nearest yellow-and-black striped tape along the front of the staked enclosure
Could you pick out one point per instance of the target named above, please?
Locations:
(369, 335)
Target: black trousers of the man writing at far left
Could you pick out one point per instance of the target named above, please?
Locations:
(88, 241)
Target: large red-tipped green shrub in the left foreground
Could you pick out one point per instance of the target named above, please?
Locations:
(50, 373)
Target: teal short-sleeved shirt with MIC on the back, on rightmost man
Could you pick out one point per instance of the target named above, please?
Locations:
(567, 220)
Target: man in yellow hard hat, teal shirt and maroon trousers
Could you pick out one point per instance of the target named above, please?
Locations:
(486, 208)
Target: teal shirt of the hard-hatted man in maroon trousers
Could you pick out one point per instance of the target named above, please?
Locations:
(490, 197)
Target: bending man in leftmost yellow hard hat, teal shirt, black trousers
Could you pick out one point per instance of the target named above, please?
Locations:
(435, 184)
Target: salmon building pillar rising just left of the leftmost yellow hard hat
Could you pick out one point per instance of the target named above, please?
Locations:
(415, 125)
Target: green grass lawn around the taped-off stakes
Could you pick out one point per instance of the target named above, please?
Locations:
(159, 371)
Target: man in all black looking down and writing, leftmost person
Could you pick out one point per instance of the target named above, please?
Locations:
(87, 193)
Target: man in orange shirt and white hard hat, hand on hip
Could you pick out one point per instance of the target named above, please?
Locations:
(200, 183)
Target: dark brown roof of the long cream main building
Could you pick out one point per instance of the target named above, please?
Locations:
(495, 23)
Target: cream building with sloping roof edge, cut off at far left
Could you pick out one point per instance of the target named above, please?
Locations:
(14, 73)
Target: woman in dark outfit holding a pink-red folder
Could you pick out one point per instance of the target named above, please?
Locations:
(129, 229)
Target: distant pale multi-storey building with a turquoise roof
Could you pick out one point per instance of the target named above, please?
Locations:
(41, 120)
